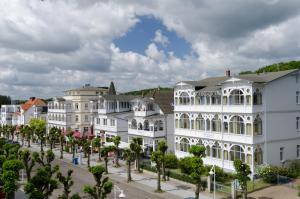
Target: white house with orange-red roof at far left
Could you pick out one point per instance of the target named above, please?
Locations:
(33, 108)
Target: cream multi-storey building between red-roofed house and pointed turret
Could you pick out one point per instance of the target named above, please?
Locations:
(72, 111)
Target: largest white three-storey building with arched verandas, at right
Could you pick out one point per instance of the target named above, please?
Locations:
(252, 117)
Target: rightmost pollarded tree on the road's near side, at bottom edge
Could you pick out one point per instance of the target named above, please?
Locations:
(102, 187)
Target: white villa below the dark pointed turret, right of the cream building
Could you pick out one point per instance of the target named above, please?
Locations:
(110, 113)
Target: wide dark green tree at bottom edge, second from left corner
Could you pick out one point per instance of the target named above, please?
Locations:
(42, 185)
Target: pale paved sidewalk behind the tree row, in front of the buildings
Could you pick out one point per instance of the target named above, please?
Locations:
(174, 188)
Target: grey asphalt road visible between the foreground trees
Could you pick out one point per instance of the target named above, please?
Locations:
(82, 177)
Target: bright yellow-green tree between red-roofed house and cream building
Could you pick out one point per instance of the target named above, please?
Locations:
(39, 128)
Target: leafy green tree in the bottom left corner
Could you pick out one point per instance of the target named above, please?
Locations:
(10, 177)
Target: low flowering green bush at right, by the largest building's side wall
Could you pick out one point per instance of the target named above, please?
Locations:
(269, 173)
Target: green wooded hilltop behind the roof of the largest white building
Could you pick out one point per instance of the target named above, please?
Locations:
(276, 67)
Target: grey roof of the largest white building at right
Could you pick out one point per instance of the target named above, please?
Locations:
(212, 83)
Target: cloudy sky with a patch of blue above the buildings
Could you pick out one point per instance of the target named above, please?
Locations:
(52, 45)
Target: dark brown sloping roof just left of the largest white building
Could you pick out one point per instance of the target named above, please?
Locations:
(164, 99)
